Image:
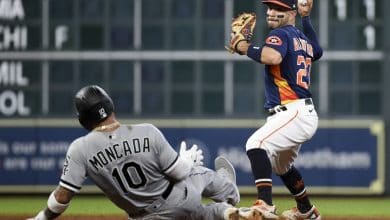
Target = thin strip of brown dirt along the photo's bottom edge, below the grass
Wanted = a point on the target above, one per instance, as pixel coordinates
(118, 217)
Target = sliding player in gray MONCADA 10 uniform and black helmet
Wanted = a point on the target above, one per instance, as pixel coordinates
(139, 171)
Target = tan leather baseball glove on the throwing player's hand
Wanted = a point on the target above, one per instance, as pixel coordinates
(242, 30)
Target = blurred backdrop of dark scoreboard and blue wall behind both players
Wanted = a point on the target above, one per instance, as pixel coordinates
(164, 62)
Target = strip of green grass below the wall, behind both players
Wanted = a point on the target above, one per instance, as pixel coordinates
(99, 205)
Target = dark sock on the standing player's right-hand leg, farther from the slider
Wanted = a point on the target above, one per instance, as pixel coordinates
(294, 183)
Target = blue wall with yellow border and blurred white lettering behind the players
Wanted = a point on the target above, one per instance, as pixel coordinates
(345, 157)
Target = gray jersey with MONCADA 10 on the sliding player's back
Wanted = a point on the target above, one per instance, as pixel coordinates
(127, 164)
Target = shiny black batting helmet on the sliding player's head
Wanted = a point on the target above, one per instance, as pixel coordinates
(93, 105)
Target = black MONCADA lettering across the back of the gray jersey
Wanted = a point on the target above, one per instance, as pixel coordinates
(119, 150)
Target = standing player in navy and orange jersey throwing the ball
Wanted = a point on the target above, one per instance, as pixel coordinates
(288, 54)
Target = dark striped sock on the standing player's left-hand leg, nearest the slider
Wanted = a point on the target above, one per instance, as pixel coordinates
(262, 171)
